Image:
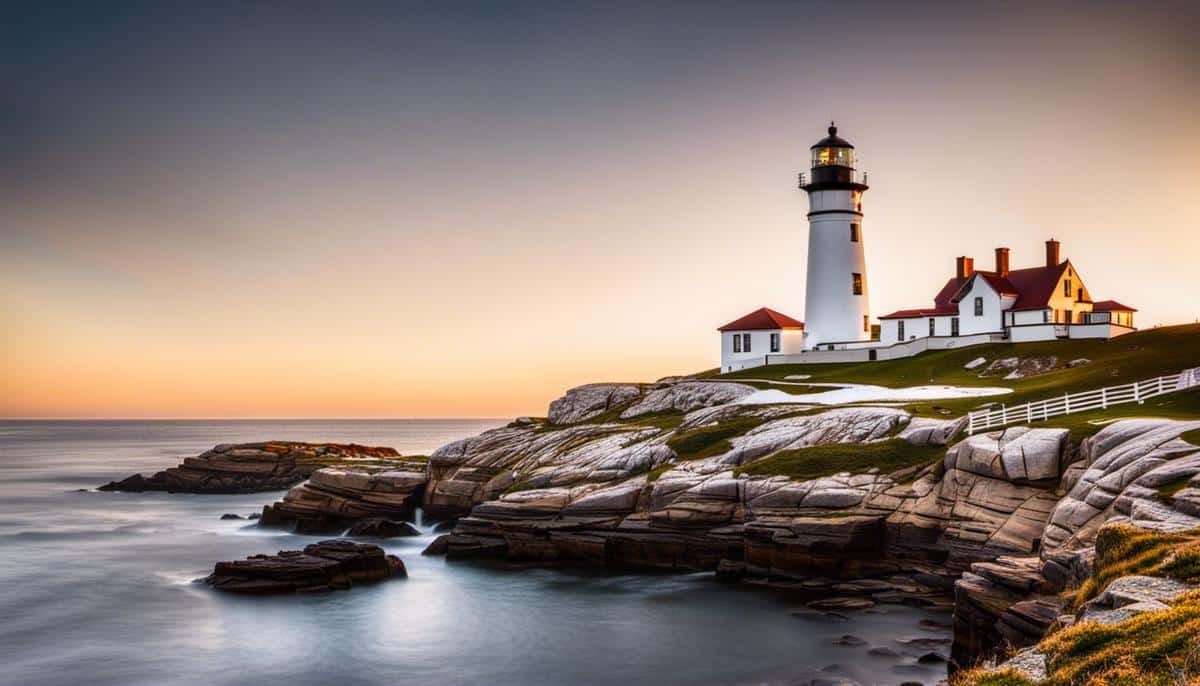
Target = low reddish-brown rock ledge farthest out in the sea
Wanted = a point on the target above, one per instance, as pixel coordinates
(251, 467)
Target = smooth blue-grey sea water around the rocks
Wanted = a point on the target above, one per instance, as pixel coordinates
(98, 588)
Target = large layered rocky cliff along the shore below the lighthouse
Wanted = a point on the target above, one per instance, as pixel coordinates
(677, 477)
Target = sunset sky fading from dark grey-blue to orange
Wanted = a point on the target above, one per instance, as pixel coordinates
(461, 209)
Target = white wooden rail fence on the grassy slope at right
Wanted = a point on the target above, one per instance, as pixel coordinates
(1083, 402)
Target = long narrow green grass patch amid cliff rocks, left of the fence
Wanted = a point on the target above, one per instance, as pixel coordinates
(829, 460)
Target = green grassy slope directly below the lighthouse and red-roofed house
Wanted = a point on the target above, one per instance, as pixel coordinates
(1131, 358)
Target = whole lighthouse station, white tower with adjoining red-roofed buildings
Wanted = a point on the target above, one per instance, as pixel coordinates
(1041, 303)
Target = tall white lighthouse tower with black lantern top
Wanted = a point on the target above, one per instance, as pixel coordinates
(836, 305)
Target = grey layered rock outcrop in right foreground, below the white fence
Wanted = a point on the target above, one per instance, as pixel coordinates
(1132, 472)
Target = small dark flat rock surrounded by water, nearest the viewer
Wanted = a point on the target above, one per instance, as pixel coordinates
(323, 567)
